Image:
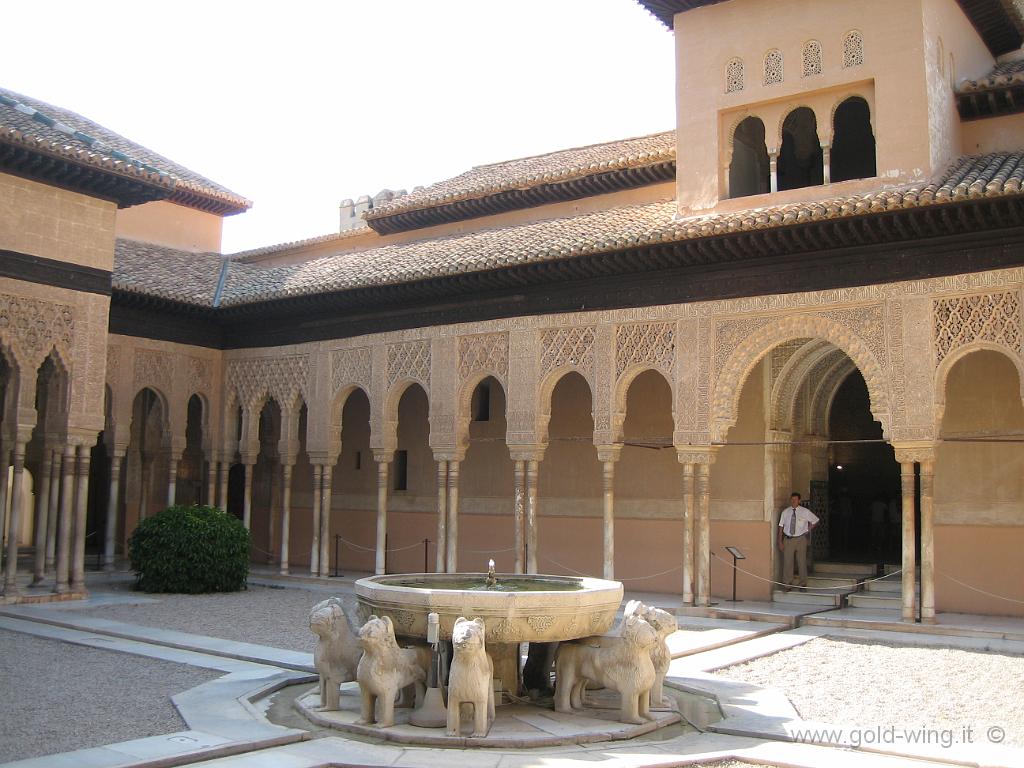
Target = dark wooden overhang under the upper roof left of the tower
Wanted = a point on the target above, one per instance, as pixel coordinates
(511, 200)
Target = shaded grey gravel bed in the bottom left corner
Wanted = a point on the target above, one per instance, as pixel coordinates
(109, 697)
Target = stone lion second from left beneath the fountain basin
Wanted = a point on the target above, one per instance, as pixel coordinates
(386, 669)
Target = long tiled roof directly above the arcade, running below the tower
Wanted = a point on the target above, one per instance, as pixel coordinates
(609, 231)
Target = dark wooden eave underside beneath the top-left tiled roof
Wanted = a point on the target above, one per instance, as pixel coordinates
(88, 179)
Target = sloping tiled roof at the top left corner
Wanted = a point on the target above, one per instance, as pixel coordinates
(31, 122)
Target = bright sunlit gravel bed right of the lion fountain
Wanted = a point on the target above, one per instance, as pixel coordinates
(857, 684)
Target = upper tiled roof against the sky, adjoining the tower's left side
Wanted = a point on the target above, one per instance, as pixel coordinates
(541, 169)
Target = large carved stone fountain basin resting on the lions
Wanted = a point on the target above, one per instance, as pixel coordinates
(521, 609)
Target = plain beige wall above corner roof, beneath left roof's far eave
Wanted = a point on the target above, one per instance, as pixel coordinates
(173, 226)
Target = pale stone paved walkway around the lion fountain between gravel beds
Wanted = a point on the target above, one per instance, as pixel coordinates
(227, 730)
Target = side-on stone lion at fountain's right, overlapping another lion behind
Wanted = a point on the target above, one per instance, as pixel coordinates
(621, 663)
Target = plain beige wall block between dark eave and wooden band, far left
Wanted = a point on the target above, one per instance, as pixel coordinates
(44, 221)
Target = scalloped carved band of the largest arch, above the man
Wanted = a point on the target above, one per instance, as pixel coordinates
(726, 403)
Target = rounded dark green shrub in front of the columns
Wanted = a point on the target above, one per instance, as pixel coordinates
(190, 549)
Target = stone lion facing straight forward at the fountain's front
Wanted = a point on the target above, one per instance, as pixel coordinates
(471, 678)
